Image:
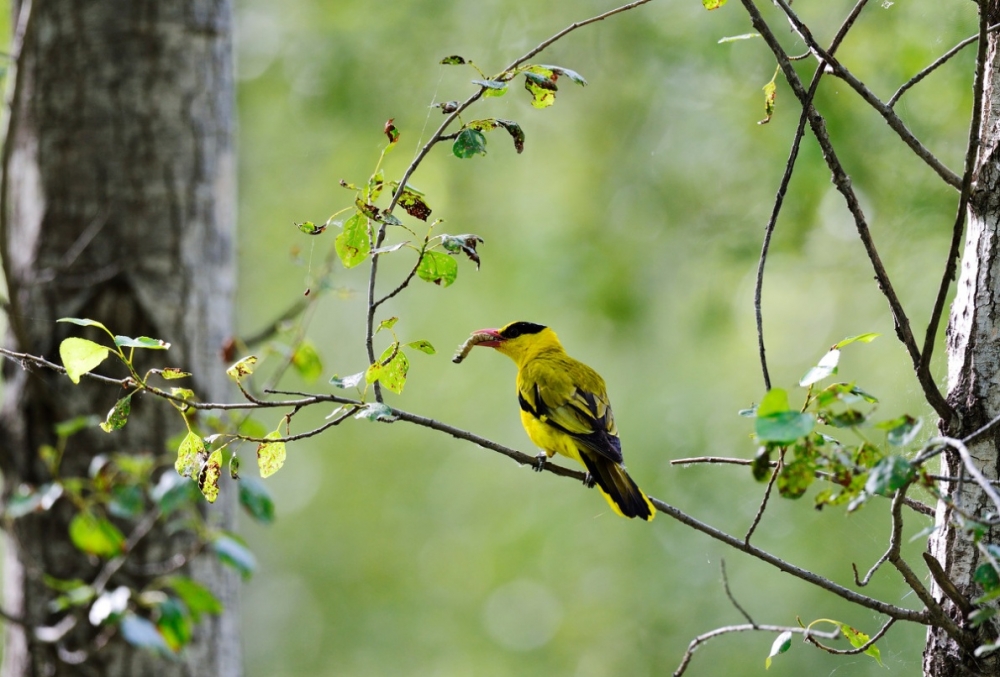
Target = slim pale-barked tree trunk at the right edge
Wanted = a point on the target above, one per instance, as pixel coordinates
(973, 372)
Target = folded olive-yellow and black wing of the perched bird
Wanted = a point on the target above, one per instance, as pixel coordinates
(583, 415)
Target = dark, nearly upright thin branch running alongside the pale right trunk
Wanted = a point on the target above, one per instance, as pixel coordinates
(957, 230)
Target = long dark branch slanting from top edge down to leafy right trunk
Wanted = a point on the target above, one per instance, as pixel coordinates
(843, 183)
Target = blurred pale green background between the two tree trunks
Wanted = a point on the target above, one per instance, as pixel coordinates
(631, 224)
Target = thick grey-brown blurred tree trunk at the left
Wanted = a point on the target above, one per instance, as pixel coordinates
(119, 205)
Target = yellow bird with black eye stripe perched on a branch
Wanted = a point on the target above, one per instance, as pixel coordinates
(565, 410)
